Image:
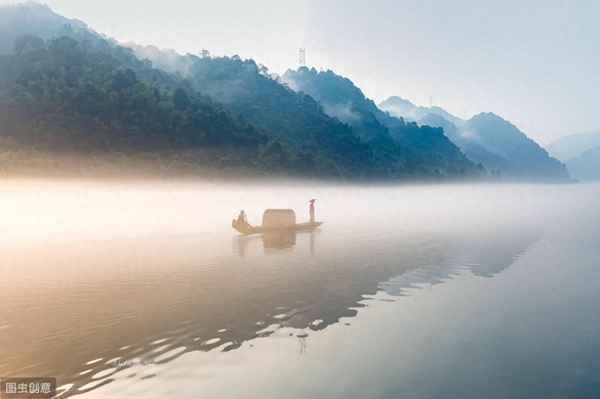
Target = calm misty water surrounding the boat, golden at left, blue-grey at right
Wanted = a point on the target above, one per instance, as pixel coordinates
(143, 290)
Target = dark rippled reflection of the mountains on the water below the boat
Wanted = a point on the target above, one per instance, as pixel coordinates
(154, 305)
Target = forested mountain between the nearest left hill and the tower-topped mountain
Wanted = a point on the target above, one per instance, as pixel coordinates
(307, 137)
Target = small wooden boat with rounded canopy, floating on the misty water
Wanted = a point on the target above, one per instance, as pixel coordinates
(275, 220)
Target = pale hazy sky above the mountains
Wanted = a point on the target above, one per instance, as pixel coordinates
(536, 63)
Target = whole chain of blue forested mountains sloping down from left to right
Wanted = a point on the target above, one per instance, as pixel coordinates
(62, 85)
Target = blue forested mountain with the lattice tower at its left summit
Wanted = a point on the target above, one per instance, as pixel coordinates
(423, 147)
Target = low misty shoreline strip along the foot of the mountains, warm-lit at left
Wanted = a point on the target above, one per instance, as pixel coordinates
(204, 164)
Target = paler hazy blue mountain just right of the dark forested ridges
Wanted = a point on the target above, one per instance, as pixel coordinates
(487, 139)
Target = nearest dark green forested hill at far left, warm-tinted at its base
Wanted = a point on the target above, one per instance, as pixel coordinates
(90, 94)
